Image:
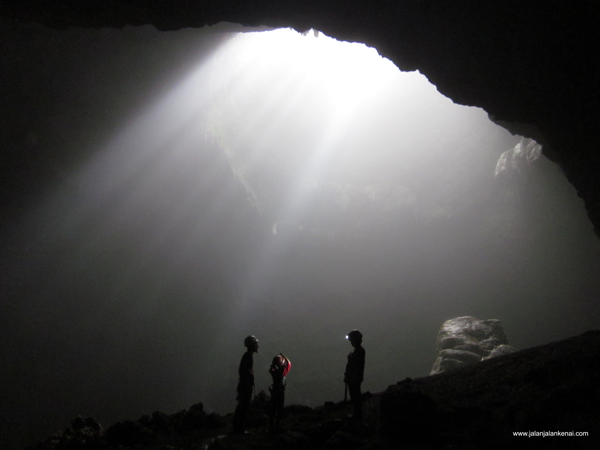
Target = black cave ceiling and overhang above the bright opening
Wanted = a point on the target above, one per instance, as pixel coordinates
(531, 65)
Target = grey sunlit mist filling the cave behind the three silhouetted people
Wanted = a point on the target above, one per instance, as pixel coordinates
(166, 194)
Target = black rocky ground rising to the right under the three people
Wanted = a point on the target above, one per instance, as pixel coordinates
(551, 389)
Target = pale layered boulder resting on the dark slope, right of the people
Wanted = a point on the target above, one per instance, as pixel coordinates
(466, 340)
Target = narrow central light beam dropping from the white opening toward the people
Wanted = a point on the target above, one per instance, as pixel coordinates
(302, 75)
